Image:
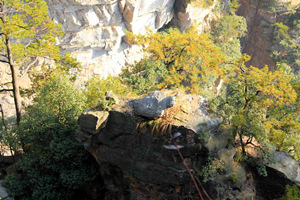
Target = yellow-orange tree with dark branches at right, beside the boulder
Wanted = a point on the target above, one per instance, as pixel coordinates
(257, 103)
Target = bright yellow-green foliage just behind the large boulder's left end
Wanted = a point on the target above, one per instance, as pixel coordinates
(96, 88)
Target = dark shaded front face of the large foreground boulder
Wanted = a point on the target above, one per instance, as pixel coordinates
(135, 163)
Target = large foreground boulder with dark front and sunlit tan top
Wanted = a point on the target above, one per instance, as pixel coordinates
(139, 153)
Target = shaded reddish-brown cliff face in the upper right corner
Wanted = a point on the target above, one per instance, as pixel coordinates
(259, 40)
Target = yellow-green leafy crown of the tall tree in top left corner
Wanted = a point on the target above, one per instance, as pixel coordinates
(30, 28)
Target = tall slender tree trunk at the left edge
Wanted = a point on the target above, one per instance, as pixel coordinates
(15, 80)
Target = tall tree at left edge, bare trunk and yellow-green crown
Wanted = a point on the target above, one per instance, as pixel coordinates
(26, 32)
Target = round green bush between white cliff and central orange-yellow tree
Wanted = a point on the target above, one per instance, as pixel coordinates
(145, 76)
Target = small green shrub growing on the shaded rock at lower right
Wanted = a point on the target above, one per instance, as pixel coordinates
(210, 170)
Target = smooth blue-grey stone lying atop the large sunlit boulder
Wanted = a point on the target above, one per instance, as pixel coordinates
(153, 105)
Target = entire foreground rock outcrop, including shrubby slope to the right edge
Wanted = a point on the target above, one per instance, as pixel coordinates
(155, 146)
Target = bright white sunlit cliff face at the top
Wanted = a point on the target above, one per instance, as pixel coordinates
(95, 30)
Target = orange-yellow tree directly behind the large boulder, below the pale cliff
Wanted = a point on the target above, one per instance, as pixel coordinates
(189, 57)
